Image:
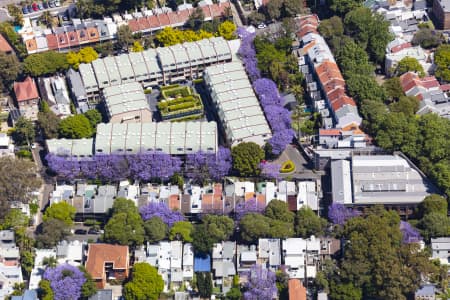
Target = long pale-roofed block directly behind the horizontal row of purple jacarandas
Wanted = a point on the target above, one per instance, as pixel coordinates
(178, 138)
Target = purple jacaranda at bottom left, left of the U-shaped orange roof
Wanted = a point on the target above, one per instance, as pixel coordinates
(66, 281)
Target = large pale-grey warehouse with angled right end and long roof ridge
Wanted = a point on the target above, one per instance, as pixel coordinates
(377, 179)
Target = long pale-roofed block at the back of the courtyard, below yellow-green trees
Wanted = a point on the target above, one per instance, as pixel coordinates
(152, 67)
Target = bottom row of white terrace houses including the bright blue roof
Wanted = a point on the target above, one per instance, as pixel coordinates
(177, 263)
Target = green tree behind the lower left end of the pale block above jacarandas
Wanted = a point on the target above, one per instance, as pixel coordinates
(75, 127)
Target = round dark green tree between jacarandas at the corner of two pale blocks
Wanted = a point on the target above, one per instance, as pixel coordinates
(246, 158)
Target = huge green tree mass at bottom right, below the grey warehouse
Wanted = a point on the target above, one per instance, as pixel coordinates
(375, 258)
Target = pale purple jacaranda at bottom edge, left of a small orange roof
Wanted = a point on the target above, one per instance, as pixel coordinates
(261, 284)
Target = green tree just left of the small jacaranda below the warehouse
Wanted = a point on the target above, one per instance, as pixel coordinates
(309, 223)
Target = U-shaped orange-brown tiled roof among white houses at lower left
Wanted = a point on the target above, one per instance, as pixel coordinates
(98, 254)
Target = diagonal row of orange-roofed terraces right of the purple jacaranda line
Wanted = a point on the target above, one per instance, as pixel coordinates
(326, 87)
